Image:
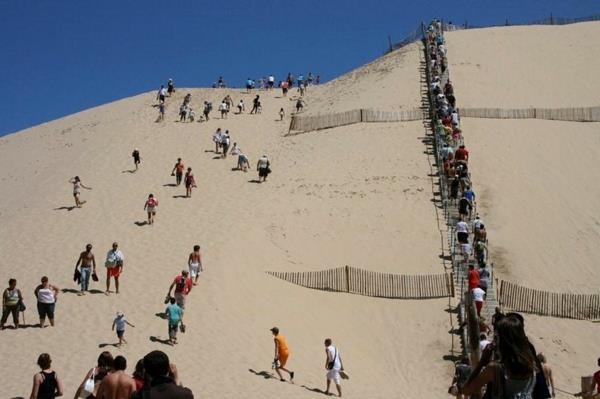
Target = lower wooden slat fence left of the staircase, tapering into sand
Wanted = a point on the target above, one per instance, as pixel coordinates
(364, 282)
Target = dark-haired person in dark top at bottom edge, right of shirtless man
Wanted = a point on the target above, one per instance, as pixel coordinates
(163, 379)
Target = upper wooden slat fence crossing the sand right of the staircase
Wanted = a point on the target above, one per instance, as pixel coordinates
(583, 114)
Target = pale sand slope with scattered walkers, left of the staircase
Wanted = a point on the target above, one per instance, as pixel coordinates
(334, 198)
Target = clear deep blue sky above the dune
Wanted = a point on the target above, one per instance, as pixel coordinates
(63, 56)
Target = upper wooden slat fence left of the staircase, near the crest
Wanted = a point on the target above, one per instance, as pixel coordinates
(300, 123)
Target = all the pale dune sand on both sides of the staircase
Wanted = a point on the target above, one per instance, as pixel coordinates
(336, 197)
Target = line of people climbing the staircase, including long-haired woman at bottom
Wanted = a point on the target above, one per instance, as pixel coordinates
(509, 366)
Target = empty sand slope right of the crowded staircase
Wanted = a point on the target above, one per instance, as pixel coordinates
(535, 178)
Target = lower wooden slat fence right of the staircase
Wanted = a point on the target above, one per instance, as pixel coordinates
(528, 300)
